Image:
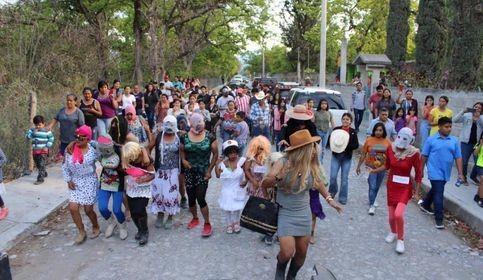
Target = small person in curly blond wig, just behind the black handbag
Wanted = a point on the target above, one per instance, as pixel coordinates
(258, 151)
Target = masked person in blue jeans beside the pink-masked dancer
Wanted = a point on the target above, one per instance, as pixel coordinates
(110, 185)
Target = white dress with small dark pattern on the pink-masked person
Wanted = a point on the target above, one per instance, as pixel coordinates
(84, 176)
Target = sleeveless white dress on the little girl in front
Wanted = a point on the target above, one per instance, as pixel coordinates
(232, 196)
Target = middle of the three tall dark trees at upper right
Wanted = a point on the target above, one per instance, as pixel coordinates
(431, 40)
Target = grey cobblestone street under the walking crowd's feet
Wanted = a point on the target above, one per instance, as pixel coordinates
(351, 245)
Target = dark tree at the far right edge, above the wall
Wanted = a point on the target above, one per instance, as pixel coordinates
(467, 49)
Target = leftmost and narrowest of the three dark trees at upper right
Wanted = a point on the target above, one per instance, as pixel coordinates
(397, 31)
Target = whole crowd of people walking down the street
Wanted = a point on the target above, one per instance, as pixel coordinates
(162, 145)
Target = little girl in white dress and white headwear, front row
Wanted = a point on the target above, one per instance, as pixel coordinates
(233, 195)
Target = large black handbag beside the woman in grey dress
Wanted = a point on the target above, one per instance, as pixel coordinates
(260, 215)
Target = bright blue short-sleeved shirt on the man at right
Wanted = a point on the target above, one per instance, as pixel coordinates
(441, 152)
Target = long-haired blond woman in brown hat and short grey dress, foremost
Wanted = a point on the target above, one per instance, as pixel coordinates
(294, 174)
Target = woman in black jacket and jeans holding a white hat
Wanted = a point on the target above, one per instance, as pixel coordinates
(343, 141)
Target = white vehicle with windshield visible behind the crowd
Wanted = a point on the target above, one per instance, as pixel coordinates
(337, 107)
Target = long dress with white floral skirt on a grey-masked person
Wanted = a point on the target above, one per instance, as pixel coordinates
(165, 187)
